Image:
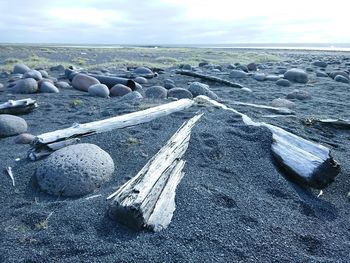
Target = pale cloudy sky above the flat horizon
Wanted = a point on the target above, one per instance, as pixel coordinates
(174, 21)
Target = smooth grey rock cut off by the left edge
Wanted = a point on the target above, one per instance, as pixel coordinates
(12, 125)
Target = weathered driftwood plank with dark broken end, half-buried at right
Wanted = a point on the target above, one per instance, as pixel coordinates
(304, 161)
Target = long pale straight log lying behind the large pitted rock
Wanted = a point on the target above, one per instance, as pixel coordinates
(46, 143)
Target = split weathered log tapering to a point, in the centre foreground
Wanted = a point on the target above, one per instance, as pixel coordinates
(148, 199)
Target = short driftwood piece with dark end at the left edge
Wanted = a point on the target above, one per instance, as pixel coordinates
(18, 106)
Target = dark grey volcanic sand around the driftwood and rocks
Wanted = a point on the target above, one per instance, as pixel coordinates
(233, 204)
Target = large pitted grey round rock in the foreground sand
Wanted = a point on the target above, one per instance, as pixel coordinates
(75, 170)
